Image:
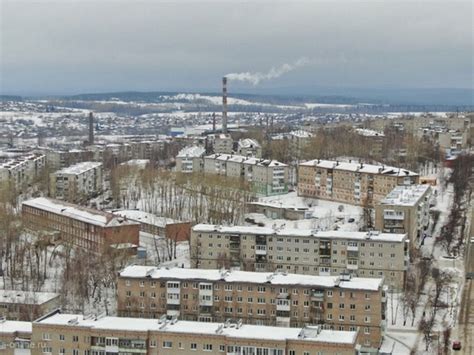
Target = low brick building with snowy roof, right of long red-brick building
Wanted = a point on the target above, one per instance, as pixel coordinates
(158, 226)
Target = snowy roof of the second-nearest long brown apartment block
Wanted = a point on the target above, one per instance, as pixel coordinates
(275, 278)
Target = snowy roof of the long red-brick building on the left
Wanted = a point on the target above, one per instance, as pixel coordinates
(84, 214)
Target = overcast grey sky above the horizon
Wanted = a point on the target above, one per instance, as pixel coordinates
(94, 46)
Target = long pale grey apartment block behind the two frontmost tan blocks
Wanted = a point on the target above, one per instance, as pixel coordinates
(364, 254)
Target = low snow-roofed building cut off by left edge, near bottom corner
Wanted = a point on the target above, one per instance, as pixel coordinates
(26, 306)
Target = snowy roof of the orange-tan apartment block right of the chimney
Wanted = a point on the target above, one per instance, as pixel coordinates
(359, 167)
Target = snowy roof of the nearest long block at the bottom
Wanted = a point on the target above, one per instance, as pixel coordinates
(243, 331)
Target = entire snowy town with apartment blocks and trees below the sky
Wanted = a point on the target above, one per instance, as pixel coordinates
(314, 229)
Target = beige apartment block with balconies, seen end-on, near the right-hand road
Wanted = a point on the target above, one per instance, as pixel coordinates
(405, 210)
